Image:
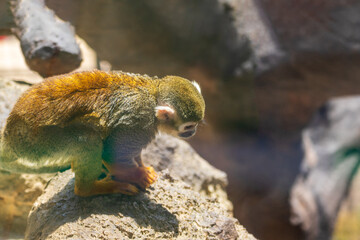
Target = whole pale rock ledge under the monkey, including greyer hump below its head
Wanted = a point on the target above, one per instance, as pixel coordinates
(188, 201)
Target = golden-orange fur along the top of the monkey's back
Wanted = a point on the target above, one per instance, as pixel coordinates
(59, 99)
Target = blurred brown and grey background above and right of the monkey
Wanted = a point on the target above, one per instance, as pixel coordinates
(280, 80)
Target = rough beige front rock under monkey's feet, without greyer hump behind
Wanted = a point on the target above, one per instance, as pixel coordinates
(169, 209)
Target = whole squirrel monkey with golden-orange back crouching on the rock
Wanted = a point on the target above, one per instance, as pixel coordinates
(96, 121)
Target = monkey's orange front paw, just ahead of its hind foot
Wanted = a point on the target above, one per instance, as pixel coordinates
(143, 177)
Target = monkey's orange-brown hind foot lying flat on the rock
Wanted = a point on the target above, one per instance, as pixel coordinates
(106, 186)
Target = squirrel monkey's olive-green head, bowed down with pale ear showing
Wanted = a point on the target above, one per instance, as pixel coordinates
(180, 106)
